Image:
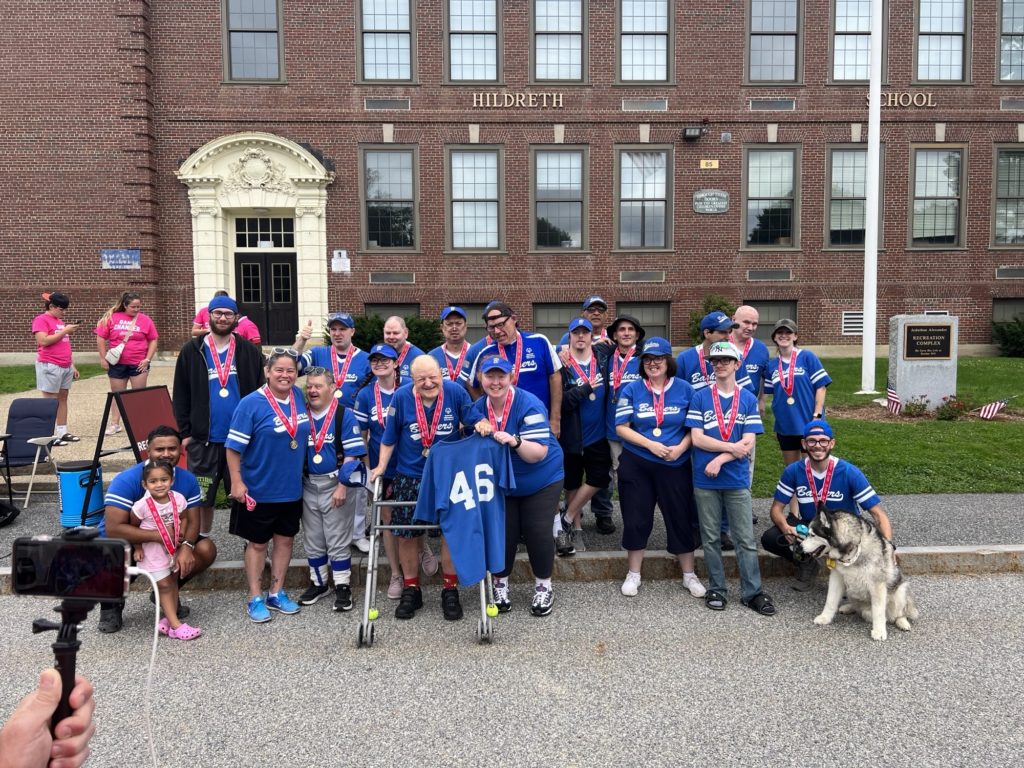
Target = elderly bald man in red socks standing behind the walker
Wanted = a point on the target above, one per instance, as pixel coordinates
(429, 412)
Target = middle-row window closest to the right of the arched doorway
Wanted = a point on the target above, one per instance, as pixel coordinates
(390, 195)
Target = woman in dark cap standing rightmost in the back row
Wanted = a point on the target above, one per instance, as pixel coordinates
(797, 383)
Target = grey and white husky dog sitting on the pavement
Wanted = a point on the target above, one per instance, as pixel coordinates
(864, 568)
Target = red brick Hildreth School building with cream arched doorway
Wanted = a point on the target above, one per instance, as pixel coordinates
(240, 144)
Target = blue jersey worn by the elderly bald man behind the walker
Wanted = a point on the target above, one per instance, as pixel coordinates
(404, 432)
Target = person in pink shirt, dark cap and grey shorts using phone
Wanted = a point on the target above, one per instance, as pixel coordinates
(55, 370)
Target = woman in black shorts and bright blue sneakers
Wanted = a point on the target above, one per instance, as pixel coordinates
(266, 454)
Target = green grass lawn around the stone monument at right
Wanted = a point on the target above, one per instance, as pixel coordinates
(922, 456)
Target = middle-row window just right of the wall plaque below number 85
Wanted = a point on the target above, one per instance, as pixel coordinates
(772, 198)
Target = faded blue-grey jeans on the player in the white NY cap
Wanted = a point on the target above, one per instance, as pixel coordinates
(737, 504)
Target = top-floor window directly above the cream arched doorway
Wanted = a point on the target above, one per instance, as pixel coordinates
(253, 40)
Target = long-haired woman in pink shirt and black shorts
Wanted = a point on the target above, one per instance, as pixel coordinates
(125, 323)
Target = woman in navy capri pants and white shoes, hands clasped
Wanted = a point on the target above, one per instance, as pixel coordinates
(655, 468)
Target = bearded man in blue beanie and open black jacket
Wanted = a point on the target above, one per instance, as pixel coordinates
(215, 372)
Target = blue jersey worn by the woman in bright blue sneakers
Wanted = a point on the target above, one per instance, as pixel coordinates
(271, 468)
